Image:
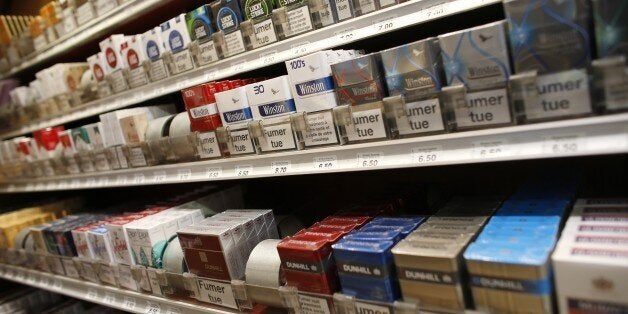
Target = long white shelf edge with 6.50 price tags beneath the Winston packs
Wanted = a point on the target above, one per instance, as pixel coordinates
(578, 137)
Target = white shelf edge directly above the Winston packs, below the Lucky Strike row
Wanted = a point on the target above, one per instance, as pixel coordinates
(374, 24)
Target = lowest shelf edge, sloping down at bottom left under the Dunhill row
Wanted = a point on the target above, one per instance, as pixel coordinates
(109, 296)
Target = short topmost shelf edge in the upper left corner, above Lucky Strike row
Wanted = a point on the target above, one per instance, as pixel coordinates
(94, 29)
